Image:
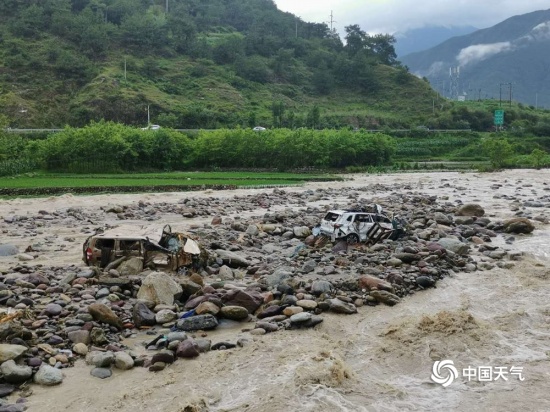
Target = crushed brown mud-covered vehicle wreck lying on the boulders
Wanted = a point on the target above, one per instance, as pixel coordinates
(159, 249)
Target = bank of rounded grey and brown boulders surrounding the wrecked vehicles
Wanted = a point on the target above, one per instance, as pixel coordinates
(263, 272)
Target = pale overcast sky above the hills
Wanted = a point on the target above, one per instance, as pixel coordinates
(392, 16)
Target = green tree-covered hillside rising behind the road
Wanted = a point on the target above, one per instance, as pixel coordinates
(196, 64)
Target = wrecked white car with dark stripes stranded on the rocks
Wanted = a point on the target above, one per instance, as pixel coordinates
(361, 225)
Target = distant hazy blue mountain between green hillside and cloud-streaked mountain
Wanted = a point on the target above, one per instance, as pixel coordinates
(423, 38)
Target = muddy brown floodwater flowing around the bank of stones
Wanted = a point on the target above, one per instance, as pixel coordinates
(379, 359)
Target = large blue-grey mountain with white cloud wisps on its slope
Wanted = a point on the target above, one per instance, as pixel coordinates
(510, 58)
